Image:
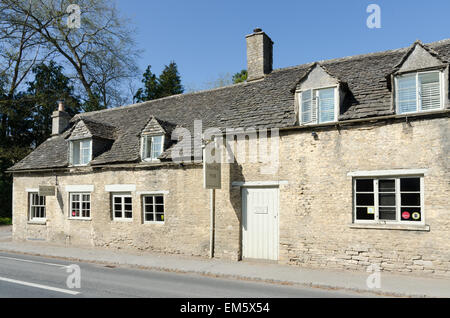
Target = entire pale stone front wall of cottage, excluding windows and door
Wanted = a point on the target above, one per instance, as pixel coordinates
(315, 204)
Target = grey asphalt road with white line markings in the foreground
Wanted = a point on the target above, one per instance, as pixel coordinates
(31, 277)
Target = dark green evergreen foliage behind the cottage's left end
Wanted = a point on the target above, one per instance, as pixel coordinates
(26, 120)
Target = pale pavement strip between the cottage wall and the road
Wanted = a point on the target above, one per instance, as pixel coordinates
(398, 285)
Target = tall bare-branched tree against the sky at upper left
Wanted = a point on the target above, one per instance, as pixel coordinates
(101, 52)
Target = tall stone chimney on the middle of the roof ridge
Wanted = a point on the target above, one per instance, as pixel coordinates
(259, 55)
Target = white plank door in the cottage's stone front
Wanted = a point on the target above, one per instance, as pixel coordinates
(260, 223)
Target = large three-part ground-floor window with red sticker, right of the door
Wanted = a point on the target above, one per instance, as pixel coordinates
(388, 200)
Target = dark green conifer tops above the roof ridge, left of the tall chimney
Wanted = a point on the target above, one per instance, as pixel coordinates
(168, 83)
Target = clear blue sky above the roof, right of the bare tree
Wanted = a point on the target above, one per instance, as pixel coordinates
(206, 38)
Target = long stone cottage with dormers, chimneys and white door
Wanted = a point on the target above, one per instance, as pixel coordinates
(362, 179)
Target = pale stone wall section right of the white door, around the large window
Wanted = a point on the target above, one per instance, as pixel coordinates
(316, 204)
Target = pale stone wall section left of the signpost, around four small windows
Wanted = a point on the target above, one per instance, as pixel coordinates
(186, 226)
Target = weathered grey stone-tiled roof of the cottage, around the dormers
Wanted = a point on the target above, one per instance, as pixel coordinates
(265, 103)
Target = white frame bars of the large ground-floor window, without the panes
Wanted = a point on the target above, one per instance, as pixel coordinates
(398, 204)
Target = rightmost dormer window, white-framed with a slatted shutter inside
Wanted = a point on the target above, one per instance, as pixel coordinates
(419, 92)
